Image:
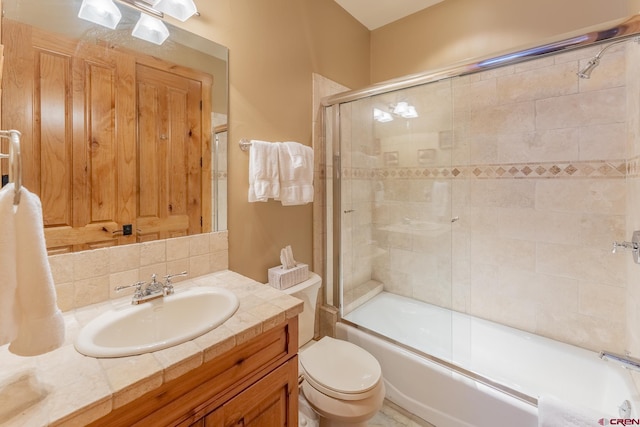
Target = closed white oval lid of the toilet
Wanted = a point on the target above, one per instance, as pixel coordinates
(338, 368)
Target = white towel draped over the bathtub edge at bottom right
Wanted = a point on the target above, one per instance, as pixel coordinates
(553, 412)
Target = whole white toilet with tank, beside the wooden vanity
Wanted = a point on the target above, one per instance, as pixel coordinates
(342, 382)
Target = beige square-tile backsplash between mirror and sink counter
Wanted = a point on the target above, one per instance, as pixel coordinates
(89, 277)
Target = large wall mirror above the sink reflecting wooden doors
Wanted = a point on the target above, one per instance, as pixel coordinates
(150, 168)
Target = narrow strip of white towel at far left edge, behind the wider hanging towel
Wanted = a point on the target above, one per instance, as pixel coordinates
(8, 281)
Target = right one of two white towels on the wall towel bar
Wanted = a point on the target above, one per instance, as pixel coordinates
(296, 183)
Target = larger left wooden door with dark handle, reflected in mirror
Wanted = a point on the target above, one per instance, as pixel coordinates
(74, 103)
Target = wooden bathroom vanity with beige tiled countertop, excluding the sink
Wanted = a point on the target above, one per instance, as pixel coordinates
(243, 372)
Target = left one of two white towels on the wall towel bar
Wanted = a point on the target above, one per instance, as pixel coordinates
(264, 181)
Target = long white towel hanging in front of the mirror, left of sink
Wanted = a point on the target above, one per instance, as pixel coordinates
(41, 326)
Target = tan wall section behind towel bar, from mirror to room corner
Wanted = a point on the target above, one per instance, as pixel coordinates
(275, 47)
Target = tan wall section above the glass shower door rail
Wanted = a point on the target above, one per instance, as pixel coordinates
(459, 30)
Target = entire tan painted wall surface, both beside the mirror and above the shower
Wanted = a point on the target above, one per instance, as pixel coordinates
(275, 46)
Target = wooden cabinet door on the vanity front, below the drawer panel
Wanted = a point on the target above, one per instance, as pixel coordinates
(270, 402)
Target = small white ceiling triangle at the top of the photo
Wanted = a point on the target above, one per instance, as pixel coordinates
(376, 13)
